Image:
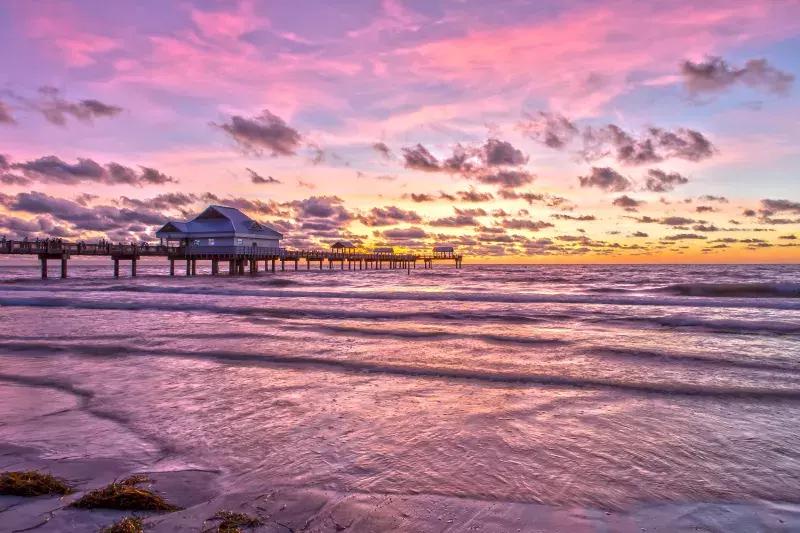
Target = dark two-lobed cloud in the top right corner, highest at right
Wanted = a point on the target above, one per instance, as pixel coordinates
(716, 75)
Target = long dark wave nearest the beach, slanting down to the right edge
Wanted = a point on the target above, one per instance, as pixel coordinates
(488, 377)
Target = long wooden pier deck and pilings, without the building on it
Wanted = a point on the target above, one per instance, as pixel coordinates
(239, 259)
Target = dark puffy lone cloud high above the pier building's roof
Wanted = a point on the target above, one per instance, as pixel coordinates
(264, 132)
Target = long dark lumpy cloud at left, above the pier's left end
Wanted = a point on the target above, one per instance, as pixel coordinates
(51, 169)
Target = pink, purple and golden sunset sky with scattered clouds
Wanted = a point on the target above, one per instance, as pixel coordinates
(541, 131)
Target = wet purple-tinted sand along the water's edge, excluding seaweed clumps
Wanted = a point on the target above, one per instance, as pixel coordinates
(202, 493)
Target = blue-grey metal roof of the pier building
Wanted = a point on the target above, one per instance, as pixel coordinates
(219, 219)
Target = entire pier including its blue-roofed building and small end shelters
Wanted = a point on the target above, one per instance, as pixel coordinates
(225, 236)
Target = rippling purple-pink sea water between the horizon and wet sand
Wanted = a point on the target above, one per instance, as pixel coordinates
(570, 385)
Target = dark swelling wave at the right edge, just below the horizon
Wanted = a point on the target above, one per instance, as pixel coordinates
(717, 290)
